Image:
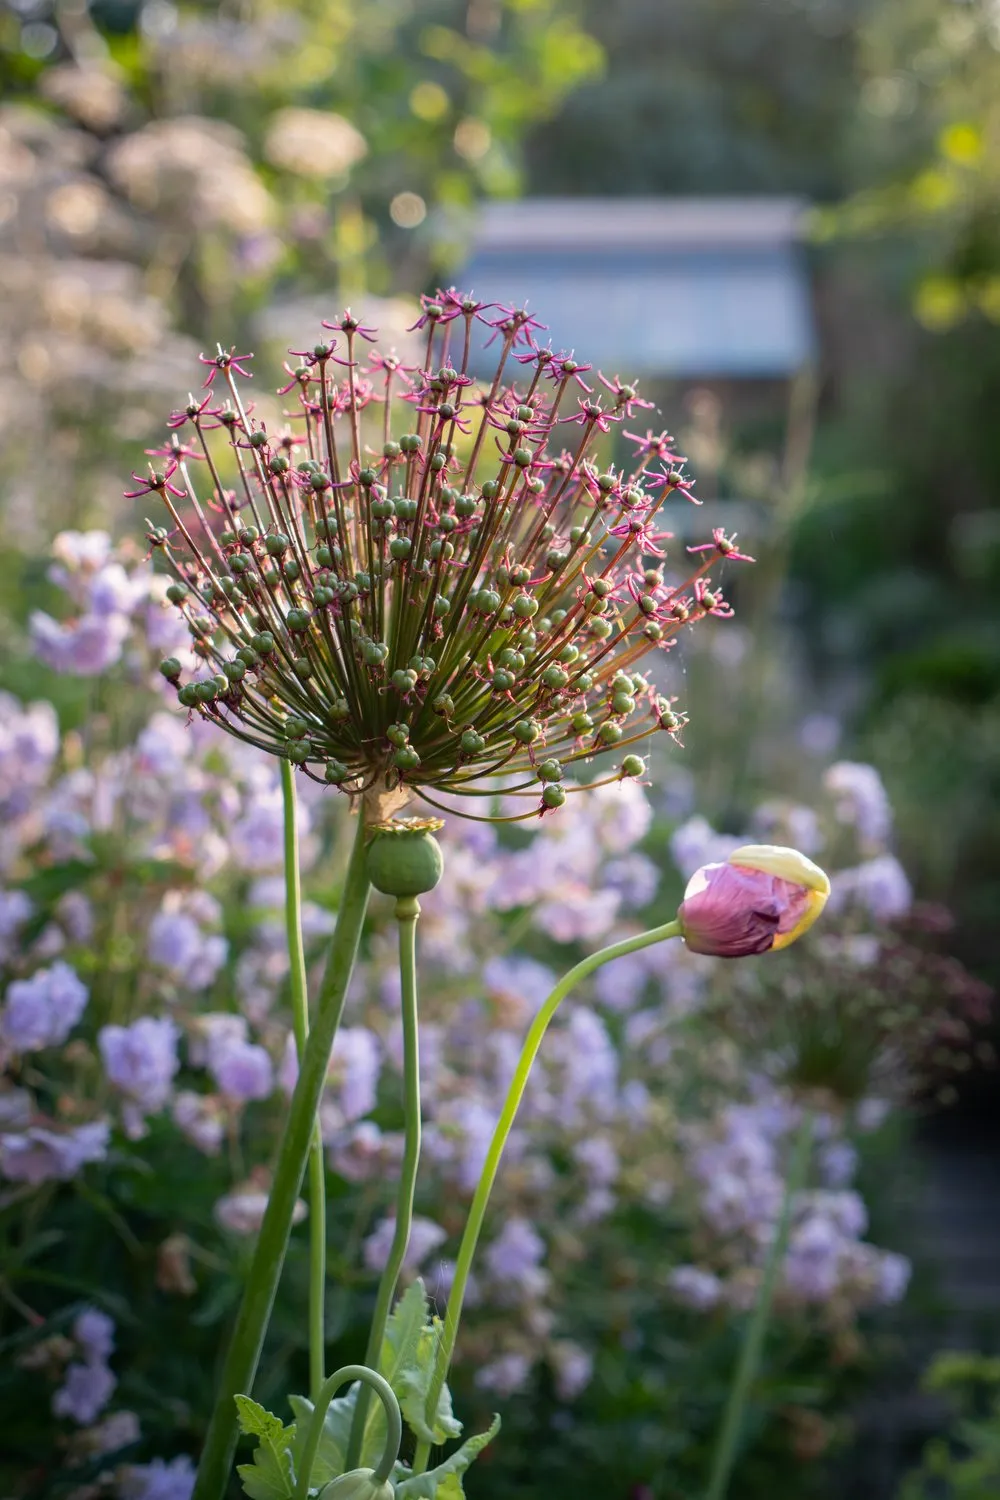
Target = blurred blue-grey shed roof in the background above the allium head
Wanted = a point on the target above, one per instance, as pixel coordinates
(665, 289)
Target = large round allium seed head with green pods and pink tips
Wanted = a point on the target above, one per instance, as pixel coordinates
(421, 611)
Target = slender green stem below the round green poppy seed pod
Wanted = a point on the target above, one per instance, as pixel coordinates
(407, 914)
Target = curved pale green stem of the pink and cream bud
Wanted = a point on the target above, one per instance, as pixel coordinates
(509, 1114)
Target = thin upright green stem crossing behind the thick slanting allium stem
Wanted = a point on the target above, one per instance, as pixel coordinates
(301, 1022)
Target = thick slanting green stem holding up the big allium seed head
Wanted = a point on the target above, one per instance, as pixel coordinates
(269, 1256)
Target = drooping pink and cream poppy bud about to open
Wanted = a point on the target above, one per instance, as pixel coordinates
(761, 899)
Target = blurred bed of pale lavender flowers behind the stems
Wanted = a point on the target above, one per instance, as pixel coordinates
(148, 1052)
